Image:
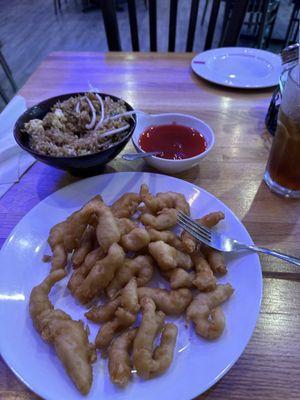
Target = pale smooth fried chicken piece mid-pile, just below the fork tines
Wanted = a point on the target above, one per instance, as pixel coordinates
(167, 257)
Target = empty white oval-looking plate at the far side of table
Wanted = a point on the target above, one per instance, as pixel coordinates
(238, 67)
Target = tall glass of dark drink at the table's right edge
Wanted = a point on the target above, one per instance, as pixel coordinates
(282, 173)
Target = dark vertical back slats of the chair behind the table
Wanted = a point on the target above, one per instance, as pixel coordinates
(112, 30)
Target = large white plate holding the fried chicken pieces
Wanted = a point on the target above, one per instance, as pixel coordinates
(197, 364)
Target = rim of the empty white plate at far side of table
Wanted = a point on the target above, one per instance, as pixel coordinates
(234, 49)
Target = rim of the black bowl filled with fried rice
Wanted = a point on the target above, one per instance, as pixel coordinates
(83, 156)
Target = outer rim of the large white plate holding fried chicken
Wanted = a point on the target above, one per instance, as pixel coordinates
(211, 383)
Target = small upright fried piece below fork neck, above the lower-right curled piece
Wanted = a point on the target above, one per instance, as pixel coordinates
(204, 278)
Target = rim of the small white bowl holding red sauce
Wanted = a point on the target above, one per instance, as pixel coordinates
(183, 160)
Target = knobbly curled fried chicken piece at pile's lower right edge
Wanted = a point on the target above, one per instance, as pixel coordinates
(206, 313)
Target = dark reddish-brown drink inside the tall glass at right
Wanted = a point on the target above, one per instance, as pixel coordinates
(284, 160)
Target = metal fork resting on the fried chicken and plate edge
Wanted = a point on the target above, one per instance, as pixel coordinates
(221, 242)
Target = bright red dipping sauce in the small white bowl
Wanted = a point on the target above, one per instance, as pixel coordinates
(175, 142)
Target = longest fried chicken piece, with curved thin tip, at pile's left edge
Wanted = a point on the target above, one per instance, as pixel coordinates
(69, 337)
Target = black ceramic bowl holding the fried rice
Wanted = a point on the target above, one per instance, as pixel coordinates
(78, 165)
